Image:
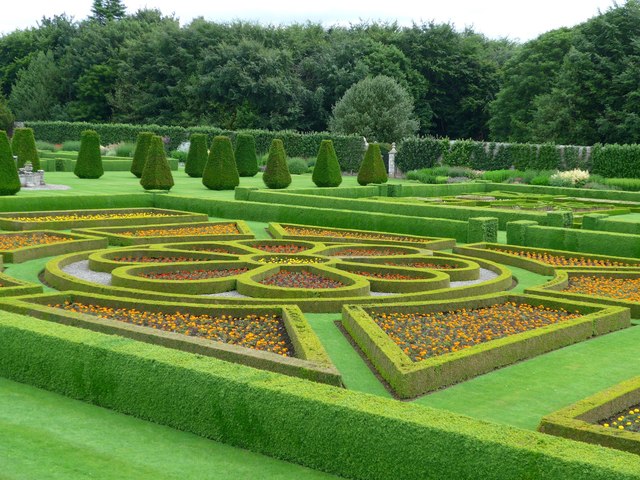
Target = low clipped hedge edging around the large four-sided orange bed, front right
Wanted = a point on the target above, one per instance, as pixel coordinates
(410, 379)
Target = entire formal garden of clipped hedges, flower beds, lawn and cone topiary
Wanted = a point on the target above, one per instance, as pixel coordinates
(342, 321)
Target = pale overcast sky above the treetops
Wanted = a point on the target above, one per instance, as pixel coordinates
(513, 19)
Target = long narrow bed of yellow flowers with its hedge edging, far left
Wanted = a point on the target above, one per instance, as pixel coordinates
(67, 219)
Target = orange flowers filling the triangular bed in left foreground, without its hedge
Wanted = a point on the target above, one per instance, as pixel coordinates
(259, 332)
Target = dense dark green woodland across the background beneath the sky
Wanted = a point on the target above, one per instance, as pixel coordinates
(576, 85)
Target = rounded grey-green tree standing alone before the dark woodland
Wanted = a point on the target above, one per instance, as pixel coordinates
(378, 108)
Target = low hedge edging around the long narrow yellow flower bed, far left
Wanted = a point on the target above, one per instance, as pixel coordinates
(7, 221)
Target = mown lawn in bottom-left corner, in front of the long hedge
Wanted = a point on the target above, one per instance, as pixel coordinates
(45, 435)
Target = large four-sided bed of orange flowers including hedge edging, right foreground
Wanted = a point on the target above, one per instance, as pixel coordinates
(419, 347)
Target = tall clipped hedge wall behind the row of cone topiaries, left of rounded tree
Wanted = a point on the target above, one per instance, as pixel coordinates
(349, 148)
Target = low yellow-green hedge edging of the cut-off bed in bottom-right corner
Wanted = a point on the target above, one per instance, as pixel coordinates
(578, 421)
